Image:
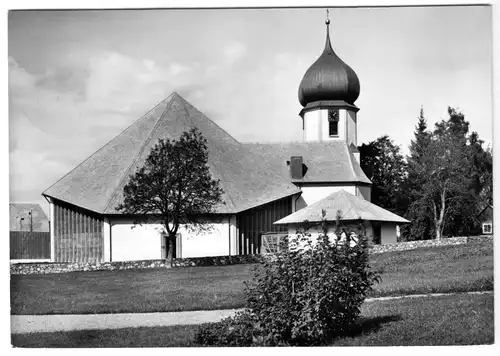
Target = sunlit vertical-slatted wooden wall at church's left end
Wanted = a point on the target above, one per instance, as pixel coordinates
(78, 234)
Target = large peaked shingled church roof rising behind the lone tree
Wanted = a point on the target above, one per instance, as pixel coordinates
(248, 180)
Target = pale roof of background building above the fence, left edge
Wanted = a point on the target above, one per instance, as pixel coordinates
(18, 211)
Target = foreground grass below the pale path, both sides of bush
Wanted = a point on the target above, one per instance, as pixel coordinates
(449, 320)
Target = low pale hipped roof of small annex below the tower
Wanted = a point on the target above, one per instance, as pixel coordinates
(350, 206)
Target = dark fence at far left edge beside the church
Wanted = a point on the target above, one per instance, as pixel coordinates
(25, 245)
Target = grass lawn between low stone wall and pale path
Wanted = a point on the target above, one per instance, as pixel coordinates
(436, 269)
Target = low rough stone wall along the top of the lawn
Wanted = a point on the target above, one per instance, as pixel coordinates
(60, 267)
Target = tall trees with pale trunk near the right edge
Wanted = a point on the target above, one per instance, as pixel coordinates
(449, 175)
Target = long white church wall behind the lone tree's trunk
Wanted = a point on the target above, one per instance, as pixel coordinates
(129, 241)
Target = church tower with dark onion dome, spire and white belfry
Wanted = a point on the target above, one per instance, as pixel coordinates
(327, 92)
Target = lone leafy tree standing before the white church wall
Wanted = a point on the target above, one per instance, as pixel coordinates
(174, 185)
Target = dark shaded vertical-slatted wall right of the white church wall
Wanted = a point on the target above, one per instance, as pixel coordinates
(254, 222)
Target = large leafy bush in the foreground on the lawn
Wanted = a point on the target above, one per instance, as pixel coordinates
(304, 296)
